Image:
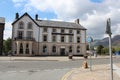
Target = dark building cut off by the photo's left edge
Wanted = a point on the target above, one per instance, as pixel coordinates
(2, 24)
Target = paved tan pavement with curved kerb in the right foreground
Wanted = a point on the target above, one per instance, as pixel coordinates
(97, 72)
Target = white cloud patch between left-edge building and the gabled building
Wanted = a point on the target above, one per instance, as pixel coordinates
(8, 30)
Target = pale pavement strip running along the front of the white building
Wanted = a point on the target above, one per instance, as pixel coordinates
(45, 58)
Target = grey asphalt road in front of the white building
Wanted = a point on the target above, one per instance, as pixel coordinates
(42, 70)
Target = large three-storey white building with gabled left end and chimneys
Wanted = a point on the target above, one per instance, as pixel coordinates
(43, 37)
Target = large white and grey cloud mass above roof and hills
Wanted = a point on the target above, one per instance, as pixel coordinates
(92, 15)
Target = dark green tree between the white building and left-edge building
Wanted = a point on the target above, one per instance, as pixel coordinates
(7, 46)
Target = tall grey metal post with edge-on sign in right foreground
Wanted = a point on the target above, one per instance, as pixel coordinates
(108, 31)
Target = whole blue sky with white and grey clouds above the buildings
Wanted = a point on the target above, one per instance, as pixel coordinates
(92, 13)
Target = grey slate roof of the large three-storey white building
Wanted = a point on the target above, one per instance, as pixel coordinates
(48, 23)
